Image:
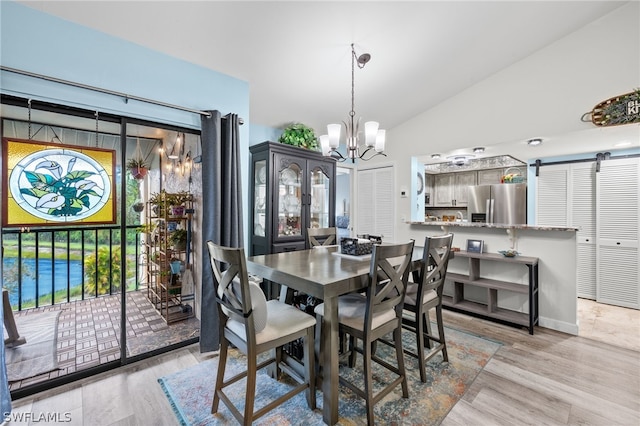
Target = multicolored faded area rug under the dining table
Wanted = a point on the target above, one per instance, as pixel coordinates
(190, 391)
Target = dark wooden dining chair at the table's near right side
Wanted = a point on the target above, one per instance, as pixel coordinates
(374, 314)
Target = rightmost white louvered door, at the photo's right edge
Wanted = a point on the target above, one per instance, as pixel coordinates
(618, 232)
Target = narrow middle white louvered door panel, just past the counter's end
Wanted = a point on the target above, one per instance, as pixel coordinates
(582, 213)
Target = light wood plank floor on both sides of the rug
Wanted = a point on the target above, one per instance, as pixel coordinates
(550, 378)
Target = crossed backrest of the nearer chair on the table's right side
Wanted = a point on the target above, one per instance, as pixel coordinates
(388, 275)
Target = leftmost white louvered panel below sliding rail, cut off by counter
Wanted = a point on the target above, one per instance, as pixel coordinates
(551, 196)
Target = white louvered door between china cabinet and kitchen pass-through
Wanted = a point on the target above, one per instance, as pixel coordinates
(376, 203)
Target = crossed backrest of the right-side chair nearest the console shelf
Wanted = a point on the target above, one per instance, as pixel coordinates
(435, 260)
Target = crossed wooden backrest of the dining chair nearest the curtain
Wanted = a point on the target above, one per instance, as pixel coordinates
(231, 285)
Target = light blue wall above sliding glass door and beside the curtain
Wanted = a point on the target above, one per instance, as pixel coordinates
(34, 41)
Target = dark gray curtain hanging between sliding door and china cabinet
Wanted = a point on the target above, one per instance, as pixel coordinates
(221, 207)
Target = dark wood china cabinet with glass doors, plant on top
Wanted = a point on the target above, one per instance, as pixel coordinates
(291, 189)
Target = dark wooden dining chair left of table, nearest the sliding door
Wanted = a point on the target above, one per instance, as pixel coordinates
(255, 326)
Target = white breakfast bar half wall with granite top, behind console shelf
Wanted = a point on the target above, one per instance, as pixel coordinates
(554, 249)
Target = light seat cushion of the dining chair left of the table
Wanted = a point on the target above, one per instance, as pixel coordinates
(282, 320)
